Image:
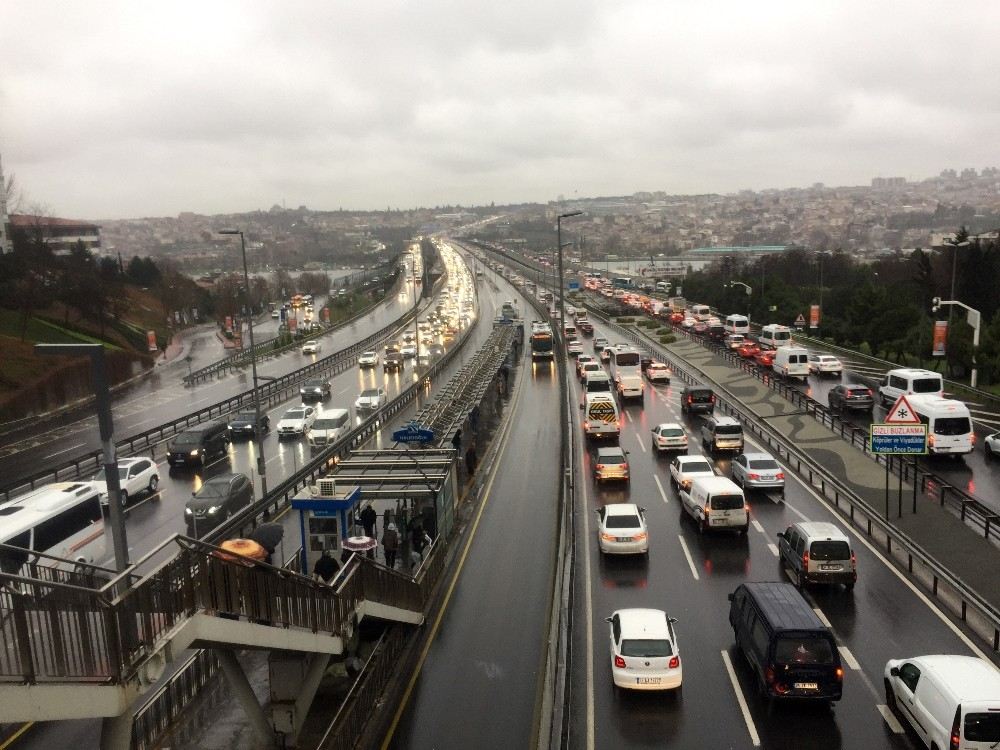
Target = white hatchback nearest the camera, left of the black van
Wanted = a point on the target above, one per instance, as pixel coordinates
(644, 650)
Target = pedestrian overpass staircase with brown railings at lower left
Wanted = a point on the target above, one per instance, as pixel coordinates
(87, 643)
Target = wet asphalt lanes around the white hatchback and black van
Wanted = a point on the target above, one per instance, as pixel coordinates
(690, 576)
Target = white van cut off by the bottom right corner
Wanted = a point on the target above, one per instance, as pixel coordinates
(950, 701)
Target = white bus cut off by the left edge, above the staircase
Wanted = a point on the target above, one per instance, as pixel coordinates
(62, 519)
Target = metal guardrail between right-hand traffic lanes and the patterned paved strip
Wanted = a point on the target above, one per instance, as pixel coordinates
(941, 583)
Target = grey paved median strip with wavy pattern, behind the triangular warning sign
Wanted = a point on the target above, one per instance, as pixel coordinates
(955, 545)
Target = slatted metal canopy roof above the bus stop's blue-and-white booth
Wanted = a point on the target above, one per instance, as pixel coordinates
(403, 473)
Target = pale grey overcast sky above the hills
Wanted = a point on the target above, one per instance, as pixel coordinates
(113, 110)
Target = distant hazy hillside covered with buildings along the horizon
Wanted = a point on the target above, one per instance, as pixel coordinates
(889, 215)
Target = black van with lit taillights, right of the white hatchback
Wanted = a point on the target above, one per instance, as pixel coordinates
(792, 653)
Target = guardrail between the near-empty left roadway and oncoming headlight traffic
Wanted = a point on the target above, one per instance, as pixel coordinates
(271, 392)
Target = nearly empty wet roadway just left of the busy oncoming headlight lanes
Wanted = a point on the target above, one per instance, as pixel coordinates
(162, 396)
